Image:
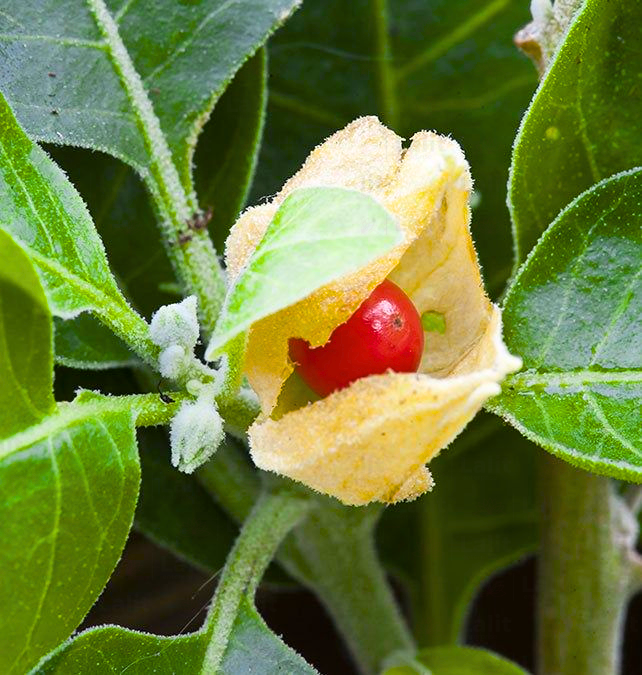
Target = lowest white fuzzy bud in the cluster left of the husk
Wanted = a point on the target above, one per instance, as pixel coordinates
(195, 434)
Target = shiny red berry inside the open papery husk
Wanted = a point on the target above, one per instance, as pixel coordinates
(385, 333)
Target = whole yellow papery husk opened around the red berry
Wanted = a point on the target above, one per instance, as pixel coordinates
(371, 440)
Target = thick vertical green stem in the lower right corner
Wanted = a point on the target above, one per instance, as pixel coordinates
(585, 571)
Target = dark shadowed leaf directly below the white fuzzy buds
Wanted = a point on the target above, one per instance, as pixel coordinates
(176, 511)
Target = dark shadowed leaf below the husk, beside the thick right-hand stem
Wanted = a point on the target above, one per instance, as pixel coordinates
(481, 517)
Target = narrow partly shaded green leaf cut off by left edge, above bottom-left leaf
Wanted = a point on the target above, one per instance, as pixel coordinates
(26, 366)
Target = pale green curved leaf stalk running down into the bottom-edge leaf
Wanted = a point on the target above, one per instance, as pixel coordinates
(273, 516)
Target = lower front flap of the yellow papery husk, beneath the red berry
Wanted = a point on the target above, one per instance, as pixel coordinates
(370, 441)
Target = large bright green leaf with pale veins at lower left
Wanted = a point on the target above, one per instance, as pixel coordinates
(69, 487)
